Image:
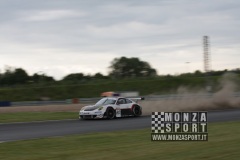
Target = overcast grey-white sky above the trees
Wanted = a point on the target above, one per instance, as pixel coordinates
(58, 37)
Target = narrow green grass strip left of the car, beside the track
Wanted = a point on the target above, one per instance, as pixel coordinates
(36, 116)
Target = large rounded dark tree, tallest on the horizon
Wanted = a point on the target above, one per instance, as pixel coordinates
(130, 67)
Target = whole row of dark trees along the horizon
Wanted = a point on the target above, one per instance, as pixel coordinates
(120, 68)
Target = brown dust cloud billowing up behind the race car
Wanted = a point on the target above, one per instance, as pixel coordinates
(185, 100)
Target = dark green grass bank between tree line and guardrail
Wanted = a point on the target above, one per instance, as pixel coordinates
(84, 90)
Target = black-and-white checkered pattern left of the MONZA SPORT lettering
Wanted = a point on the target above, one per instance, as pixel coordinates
(157, 122)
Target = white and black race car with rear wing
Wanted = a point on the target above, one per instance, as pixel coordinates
(112, 107)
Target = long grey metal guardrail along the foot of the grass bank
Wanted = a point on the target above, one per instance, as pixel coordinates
(94, 100)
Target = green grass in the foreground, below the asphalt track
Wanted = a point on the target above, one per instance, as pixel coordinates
(224, 143)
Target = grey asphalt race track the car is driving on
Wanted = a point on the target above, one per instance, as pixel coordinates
(32, 130)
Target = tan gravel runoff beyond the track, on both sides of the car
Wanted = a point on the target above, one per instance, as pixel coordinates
(184, 104)
